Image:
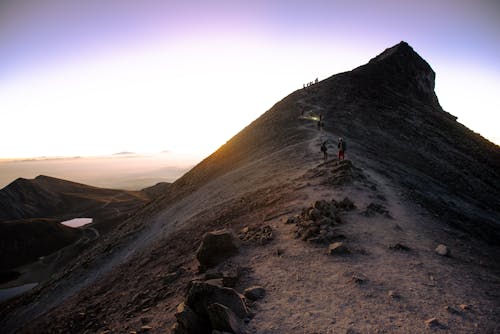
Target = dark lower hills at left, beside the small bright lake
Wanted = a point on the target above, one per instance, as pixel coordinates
(31, 212)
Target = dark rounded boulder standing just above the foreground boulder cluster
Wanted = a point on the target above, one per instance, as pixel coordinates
(216, 247)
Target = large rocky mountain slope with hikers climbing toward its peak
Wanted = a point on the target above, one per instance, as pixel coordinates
(402, 236)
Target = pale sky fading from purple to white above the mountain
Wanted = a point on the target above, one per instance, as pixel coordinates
(92, 77)
